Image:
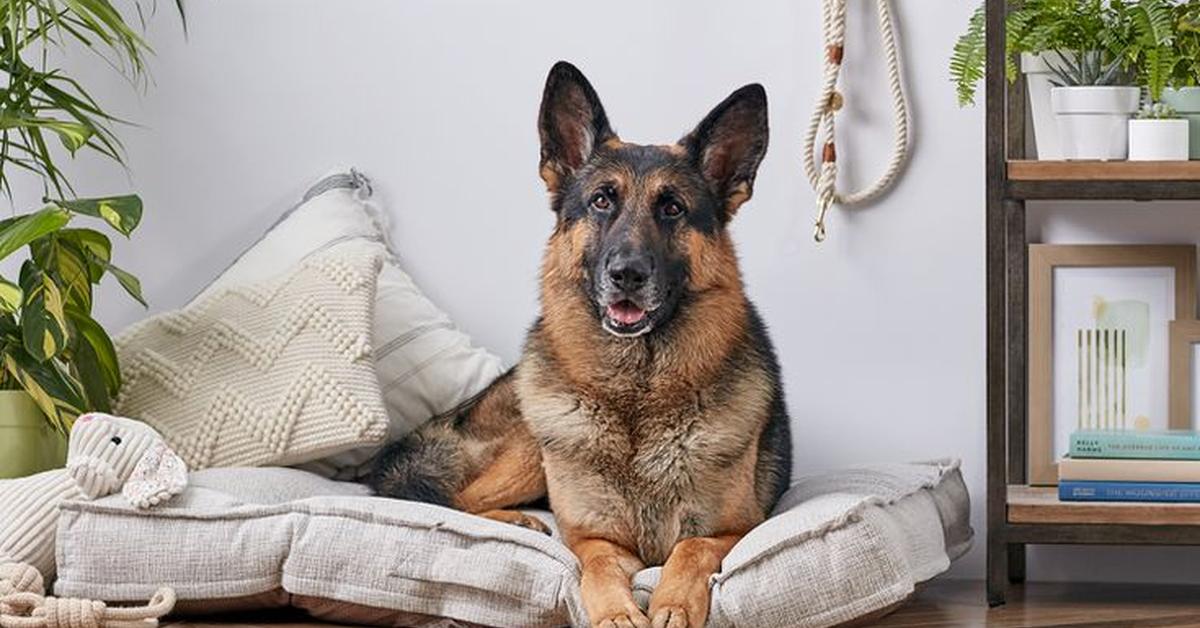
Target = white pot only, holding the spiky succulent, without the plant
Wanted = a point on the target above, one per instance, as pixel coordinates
(1094, 121)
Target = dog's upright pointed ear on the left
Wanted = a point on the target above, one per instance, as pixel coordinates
(572, 124)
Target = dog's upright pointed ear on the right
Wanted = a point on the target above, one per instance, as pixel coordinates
(730, 143)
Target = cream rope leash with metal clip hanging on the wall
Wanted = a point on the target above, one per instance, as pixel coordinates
(825, 177)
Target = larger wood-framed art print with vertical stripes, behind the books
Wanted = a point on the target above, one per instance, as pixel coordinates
(1099, 350)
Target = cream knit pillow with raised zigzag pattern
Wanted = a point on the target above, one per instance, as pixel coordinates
(272, 373)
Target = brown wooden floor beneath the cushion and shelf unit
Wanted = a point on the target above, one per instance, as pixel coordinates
(961, 605)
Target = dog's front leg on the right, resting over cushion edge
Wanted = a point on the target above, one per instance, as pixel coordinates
(681, 601)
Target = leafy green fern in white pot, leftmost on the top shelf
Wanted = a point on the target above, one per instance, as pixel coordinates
(1041, 35)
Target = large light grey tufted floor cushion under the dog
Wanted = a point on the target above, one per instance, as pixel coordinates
(841, 546)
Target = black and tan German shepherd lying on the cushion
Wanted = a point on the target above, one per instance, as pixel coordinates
(647, 403)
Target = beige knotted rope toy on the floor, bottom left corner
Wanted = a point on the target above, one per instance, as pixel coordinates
(25, 605)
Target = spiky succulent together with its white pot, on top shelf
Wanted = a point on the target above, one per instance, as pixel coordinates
(1091, 109)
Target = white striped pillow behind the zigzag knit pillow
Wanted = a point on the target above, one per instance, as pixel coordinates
(427, 366)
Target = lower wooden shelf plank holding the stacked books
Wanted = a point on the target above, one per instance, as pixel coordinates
(1041, 505)
